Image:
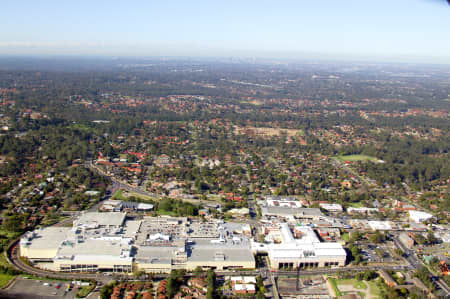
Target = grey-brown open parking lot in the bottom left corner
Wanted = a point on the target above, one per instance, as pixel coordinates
(27, 288)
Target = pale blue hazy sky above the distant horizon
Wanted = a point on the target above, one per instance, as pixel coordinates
(403, 30)
